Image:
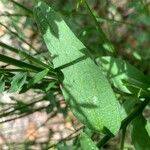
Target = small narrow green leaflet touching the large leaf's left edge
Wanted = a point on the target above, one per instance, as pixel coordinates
(38, 77)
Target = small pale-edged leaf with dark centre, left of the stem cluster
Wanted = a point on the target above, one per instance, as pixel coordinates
(17, 82)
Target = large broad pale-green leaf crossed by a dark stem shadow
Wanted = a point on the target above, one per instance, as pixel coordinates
(84, 87)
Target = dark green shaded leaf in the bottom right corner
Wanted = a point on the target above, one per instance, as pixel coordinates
(140, 136)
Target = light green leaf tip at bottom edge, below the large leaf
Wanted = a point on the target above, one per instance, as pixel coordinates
(86, 142)
